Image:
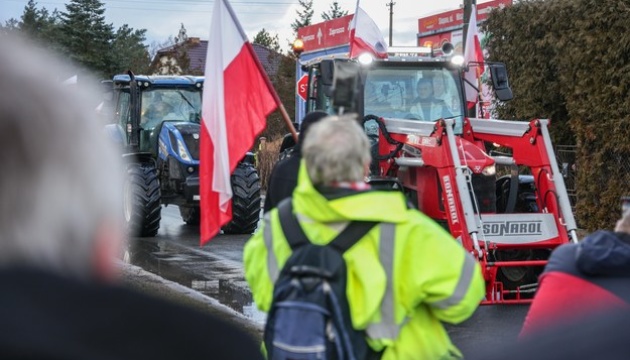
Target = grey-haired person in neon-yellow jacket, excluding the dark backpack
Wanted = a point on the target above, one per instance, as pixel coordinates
(405, 277)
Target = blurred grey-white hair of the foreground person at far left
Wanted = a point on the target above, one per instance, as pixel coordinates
(61, 178)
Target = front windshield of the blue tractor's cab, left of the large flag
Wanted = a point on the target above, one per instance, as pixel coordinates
(169, 104)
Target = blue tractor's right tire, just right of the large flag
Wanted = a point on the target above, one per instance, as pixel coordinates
(245, 200)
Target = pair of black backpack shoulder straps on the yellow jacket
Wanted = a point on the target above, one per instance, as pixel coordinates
(296, 237)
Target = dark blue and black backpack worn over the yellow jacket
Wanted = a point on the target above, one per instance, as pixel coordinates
(309, 316)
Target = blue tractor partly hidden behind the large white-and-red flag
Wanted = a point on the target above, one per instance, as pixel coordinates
(157, 123)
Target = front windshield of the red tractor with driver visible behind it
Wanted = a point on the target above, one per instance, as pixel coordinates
(422, 94)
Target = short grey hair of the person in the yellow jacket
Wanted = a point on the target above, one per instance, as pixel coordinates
(336, 150)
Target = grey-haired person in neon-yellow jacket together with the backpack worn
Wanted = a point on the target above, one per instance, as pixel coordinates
(403, 274)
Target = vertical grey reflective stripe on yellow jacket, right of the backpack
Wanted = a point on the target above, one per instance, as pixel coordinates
(387, 328)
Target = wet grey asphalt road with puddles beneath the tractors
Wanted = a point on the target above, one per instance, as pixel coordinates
(216, 271)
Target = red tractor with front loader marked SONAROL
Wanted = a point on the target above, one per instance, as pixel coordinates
(494, 184)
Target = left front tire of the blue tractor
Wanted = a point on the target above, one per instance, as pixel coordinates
(142, 209)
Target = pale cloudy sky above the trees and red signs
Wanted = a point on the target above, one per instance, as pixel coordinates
(162, 18)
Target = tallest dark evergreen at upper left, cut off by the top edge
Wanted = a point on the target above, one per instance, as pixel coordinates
(86, 38)
